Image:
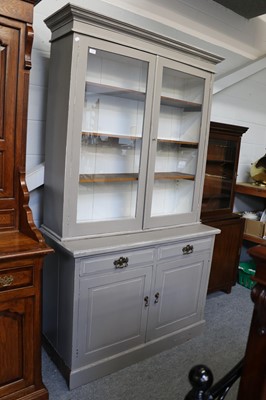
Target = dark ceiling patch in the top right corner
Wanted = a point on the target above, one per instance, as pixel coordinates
(246, 8)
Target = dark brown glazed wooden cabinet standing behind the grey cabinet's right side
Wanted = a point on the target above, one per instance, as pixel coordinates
(218, 201)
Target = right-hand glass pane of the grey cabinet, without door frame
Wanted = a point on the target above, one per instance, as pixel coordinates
(177, 143)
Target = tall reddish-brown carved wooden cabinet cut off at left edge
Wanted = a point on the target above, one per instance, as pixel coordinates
(22, 247)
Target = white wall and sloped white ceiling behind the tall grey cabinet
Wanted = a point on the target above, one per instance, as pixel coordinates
(202, 23)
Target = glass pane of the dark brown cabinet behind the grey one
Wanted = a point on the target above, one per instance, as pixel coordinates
(219, 175)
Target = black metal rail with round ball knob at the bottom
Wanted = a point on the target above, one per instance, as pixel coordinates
(201, 379)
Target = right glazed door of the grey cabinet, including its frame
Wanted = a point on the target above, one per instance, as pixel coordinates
(176, 147)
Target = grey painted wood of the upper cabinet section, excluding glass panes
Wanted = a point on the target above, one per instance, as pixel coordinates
(64, 123)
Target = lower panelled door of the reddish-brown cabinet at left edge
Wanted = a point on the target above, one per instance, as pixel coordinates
(16, 345)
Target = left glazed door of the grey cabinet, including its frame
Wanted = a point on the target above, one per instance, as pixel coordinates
(114, 137)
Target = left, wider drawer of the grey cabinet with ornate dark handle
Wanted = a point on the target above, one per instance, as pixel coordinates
(116, 261)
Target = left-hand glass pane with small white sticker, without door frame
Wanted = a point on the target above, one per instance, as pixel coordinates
(111, 137)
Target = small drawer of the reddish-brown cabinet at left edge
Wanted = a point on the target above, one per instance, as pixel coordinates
(16, 278)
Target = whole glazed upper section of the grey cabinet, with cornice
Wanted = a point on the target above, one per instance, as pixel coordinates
(127, 126)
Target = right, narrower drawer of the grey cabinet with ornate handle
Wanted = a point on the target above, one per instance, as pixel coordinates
(185, 248)
